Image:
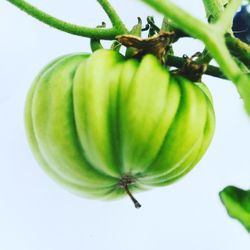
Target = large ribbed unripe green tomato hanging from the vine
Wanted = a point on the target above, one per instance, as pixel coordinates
(99, 123)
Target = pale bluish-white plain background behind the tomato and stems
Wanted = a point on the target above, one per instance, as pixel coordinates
(37, 214)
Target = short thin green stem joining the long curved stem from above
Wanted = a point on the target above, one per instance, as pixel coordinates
(113, 16)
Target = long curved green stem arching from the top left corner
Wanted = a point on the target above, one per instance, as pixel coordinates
(96, 33)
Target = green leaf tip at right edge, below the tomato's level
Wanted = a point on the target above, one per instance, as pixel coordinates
(237, 203)
